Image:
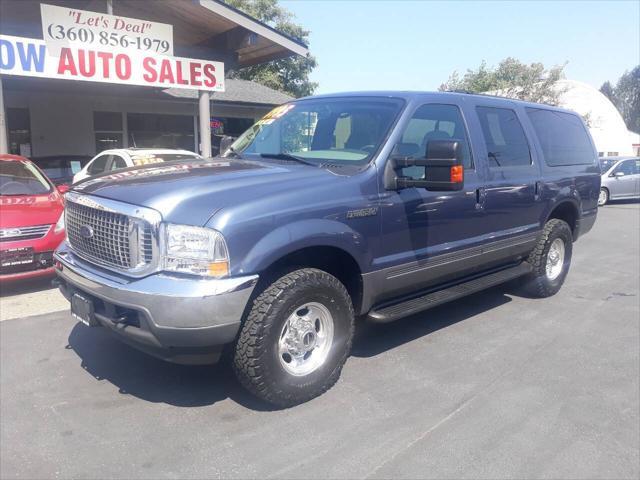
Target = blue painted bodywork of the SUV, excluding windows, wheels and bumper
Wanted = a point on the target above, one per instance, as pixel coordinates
(267, 209)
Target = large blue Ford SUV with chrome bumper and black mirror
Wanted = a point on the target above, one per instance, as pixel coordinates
(331, 208)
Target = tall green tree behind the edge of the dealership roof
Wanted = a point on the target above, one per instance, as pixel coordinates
(289, 75)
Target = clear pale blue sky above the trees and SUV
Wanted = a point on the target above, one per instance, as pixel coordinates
(416, 45)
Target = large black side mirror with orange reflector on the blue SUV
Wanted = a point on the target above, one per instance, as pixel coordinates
(444, 171)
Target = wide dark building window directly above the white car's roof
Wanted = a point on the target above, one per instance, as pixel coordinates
(151, 130)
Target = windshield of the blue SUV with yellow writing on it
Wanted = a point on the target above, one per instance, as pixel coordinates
(335, 130)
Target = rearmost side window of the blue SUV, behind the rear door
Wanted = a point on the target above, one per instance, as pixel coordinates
(562, 136)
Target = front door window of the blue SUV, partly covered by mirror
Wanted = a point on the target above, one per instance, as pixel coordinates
(432, 122)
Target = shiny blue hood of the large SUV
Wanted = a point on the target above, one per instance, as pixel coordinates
(191, 192)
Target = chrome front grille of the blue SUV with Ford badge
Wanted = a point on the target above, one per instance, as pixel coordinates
(109, 238)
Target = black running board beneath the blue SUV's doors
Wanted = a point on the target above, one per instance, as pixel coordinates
(389, 313)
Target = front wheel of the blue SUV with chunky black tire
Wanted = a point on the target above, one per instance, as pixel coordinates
(296, 338)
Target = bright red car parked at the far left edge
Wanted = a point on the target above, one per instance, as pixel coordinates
(31, 219)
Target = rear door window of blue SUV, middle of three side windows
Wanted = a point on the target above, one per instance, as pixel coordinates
(505, 139)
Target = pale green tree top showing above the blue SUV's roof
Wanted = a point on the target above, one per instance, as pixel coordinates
(511, 78)
